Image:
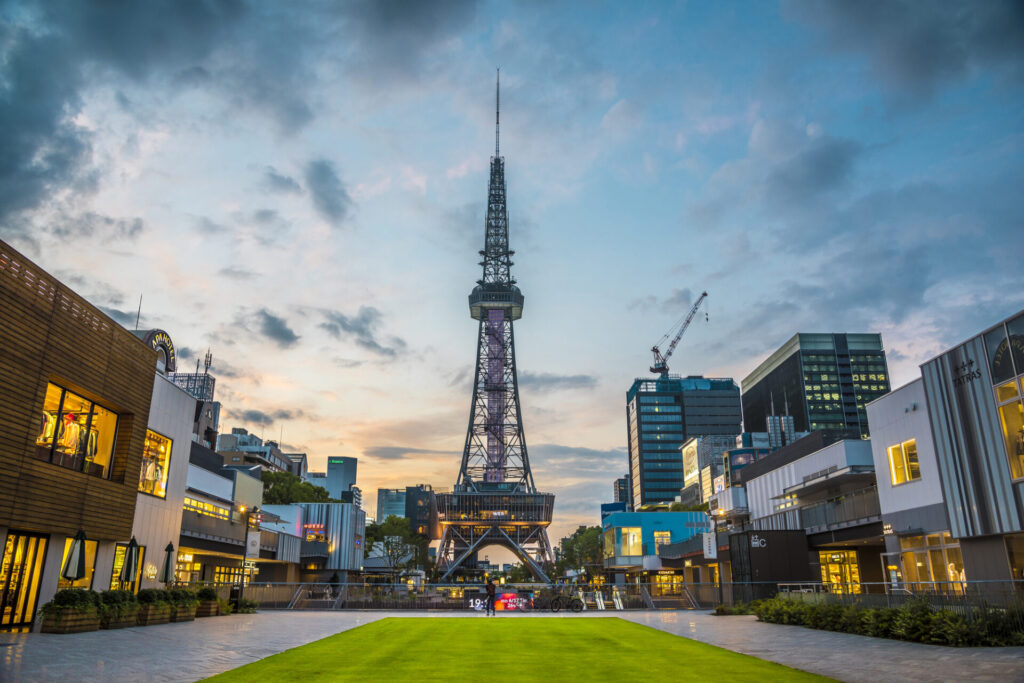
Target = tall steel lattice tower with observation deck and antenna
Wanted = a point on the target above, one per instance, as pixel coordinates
(495, 501)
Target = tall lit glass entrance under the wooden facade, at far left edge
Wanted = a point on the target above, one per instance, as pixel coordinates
(21, 574)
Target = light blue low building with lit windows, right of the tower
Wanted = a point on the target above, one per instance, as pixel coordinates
(631, 541)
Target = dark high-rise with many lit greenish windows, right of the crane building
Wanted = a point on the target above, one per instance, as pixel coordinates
(824, 380)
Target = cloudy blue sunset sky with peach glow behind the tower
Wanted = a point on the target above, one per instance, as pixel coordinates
(301, 188)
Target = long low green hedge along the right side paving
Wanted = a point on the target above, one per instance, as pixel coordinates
(916, 622)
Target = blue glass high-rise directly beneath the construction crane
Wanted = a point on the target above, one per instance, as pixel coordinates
(661, 415)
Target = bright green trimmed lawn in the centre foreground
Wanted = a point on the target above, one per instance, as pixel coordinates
(479, 649)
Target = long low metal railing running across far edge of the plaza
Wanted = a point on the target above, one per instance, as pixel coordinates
(964, 597)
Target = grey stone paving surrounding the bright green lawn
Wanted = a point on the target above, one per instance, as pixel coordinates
(194, 651)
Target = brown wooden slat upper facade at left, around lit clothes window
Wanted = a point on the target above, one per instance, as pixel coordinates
(51, 334)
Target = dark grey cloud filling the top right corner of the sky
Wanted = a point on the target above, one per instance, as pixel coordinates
(913, 48)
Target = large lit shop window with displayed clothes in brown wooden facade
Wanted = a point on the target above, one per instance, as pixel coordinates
(76, 434)
